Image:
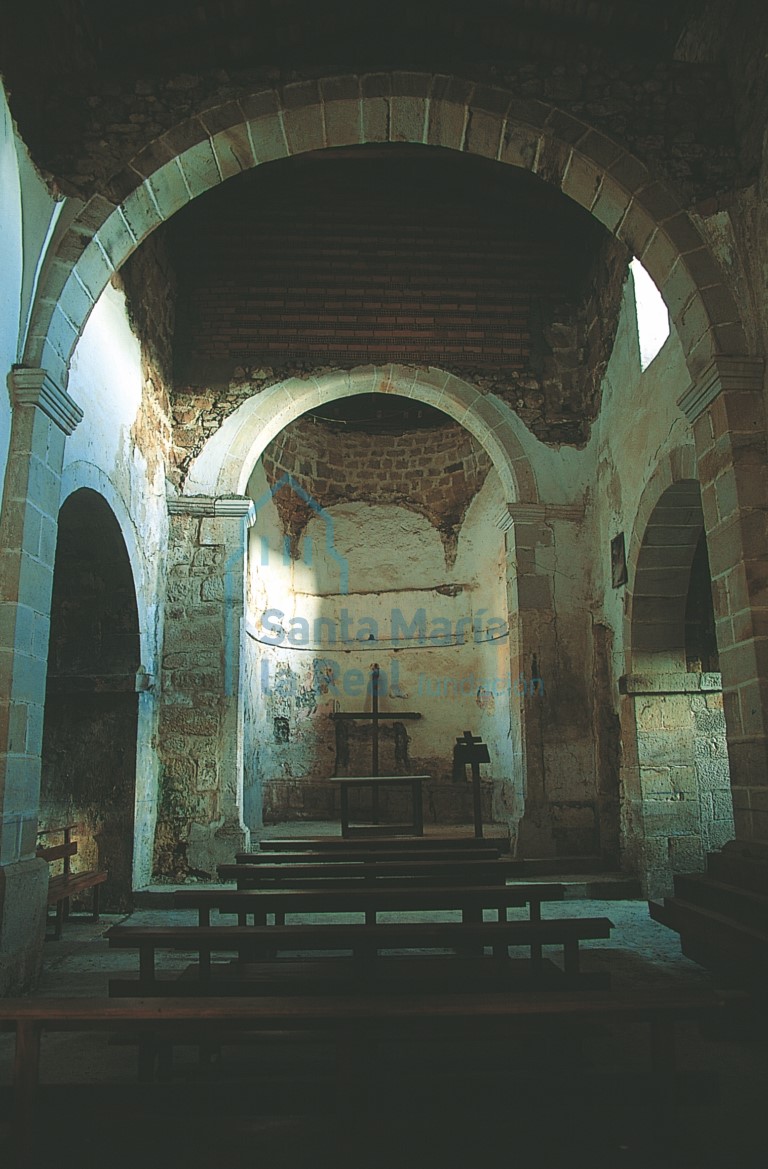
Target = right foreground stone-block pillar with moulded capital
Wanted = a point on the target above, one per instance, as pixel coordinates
(727, 409)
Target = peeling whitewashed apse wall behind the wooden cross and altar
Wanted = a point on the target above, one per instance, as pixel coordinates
(375, 578)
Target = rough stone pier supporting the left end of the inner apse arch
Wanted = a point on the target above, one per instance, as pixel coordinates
(200, 822)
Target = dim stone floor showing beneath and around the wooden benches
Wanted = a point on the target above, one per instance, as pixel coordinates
(475, 1106)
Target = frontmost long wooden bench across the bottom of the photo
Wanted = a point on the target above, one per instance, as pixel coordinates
(356, 1025)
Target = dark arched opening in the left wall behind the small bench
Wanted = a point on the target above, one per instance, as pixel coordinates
(92, 704)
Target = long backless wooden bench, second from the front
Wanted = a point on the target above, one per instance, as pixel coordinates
(364, 942)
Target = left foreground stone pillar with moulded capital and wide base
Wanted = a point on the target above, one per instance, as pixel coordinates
(43, 418)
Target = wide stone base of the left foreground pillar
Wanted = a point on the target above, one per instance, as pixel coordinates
(24, 897)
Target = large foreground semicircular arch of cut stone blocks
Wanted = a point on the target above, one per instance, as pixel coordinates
(434, 110)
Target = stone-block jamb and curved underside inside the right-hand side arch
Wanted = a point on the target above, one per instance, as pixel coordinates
(675, 760)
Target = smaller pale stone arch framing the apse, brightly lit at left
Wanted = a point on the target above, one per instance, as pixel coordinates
(230, 456)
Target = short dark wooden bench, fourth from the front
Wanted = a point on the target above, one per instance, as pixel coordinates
(359, 873)
